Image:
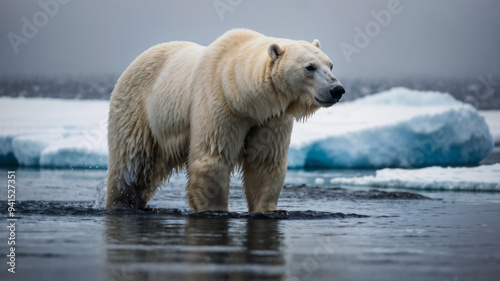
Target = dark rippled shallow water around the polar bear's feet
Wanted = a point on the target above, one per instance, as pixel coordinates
(329, 233)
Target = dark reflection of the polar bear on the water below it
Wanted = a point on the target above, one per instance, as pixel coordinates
(145, 247)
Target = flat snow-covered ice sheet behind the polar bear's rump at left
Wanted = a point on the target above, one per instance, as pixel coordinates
(53, 133)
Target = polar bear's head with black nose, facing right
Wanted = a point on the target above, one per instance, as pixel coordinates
(304, 73)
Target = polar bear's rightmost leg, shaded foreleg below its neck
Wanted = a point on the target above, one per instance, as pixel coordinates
(265, 163)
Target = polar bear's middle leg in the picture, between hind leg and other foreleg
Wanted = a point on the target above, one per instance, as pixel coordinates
(215, 145)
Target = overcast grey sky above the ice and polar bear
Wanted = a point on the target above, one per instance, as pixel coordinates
(422, 38)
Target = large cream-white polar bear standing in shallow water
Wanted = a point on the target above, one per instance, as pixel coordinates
(213, 109)
